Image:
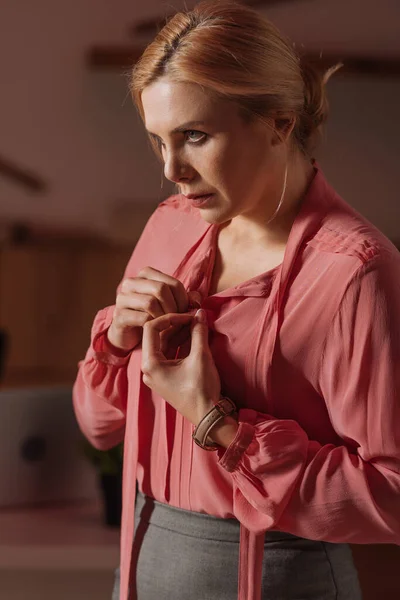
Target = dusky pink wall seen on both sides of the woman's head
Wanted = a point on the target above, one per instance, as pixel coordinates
(78, 128)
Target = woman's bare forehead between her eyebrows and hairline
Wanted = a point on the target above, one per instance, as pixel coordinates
(168, 104)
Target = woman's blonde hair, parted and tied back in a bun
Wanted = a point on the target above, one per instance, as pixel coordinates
(237, 54)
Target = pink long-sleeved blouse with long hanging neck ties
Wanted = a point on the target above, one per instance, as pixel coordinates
(310, 353)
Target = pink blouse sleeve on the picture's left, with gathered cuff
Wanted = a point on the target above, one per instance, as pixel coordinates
(100, 392)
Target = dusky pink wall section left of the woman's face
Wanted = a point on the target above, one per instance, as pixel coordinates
(76, 128)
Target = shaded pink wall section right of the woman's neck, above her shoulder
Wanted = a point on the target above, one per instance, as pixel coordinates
(360, 154)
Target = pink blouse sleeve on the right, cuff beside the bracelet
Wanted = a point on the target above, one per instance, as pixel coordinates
(348, 493)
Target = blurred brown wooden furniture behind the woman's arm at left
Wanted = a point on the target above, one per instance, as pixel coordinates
(48, 309)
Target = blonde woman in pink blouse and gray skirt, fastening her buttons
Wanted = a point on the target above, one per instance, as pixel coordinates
(298, 331)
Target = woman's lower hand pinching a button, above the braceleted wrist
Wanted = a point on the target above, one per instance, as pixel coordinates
(191, 385)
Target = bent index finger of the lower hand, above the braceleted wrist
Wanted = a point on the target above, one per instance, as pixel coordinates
(151, 346)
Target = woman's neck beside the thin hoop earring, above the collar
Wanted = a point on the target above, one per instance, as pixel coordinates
(254, 226)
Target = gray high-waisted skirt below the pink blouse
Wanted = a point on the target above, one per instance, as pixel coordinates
(185, 555)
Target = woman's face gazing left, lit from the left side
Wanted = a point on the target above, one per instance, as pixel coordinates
(208, 148)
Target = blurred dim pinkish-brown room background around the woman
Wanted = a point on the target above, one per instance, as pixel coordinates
(78, 181)
